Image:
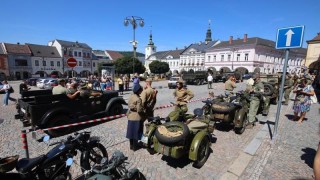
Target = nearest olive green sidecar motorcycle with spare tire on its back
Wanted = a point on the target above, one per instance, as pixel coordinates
(176, 139)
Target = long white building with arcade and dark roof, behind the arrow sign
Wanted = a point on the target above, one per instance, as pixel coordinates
(252, 55)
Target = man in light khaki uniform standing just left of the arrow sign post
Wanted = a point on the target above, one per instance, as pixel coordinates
(257, 89)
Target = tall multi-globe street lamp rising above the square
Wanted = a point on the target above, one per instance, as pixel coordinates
(133, 21)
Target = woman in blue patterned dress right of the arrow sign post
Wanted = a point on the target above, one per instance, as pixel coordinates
(303, 101)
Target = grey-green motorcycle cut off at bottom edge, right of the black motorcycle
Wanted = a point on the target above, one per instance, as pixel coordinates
(115, 168)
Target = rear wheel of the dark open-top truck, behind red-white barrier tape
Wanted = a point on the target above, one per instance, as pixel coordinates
(58, 120)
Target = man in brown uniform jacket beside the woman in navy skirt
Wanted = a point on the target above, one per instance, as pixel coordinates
(149, 98)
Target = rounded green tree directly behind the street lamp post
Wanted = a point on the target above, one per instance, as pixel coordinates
(125, 66)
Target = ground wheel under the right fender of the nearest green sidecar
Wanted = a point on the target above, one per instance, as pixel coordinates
(203, 153)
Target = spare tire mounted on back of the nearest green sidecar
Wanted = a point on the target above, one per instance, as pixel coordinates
(172, 140)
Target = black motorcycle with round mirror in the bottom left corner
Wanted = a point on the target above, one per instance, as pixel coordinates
(53, 164)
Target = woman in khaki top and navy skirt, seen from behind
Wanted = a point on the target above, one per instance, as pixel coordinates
(135, 114)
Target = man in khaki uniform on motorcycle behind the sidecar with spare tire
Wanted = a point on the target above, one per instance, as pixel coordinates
(183, 95)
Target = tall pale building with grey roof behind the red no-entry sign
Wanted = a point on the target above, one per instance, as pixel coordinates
(80, 51)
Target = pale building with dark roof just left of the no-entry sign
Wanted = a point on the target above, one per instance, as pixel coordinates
(45, 60)
